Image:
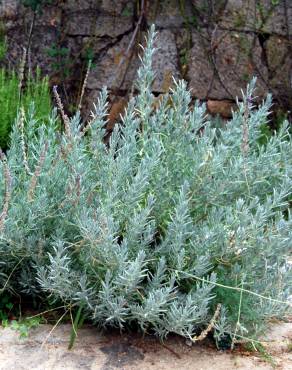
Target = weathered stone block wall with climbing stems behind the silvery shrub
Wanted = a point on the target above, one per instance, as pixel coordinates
(216, 45)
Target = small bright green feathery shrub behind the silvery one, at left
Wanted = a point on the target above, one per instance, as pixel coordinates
(36, 91)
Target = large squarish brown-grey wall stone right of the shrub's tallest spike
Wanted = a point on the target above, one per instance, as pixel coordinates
(221, 67)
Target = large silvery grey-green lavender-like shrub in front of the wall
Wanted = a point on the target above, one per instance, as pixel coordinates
(169, 225)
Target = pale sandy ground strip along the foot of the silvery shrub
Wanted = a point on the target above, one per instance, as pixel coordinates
(94, 350)
